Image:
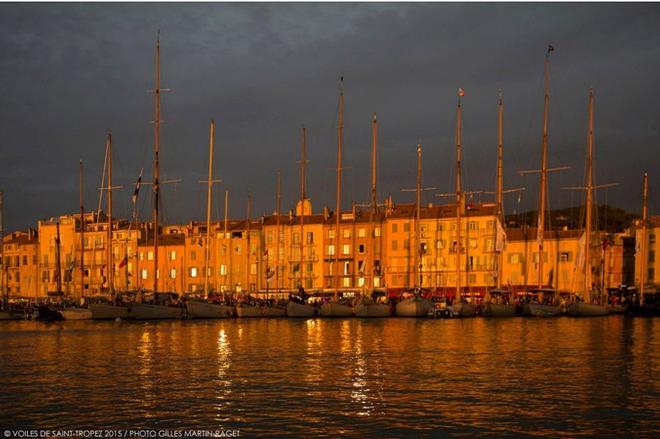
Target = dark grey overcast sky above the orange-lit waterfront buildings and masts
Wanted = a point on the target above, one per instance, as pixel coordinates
(69, 72)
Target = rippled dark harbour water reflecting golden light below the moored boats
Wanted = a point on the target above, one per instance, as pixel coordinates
(389, 377)
